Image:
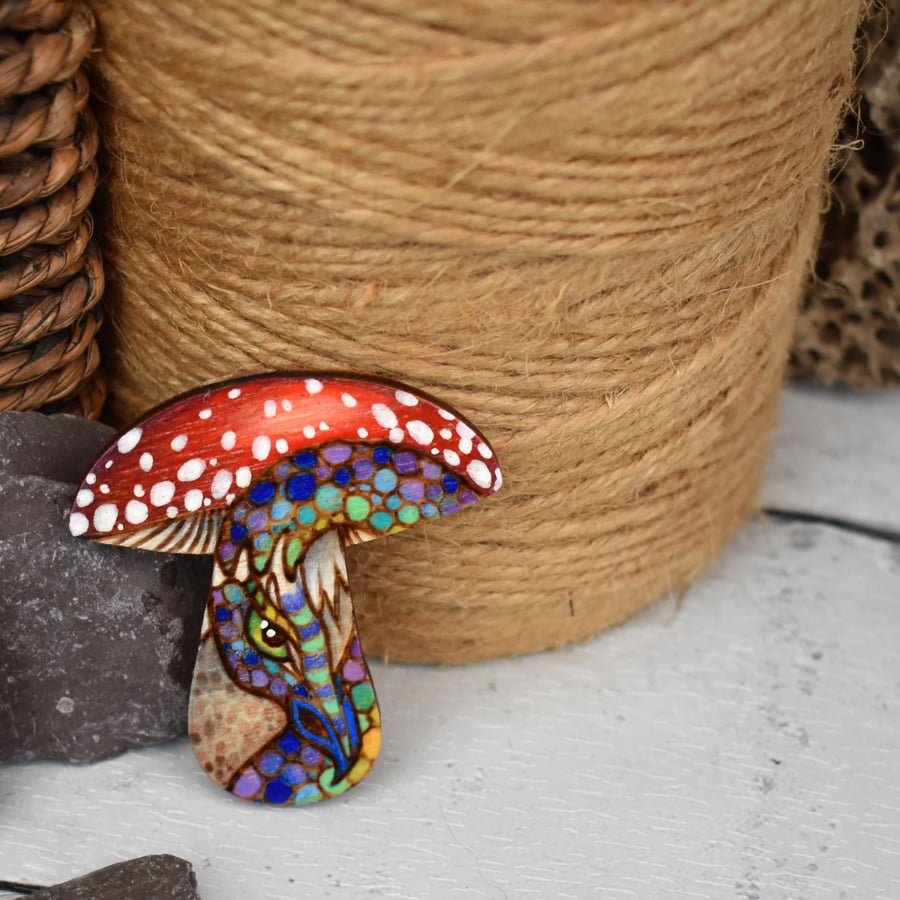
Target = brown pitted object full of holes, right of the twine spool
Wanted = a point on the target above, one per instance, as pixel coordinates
(848, 328)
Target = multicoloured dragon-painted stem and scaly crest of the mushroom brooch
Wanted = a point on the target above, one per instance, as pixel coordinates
(280, 613)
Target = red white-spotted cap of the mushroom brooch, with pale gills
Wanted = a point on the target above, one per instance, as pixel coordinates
(188, 459)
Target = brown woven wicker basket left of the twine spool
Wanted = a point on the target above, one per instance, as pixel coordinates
(52, 276)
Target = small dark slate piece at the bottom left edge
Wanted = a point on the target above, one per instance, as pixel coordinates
(161, 877)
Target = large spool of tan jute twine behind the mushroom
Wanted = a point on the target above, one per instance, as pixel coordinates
(586, 230)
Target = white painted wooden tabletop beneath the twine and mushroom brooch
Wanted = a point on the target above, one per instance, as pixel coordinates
(745, 744)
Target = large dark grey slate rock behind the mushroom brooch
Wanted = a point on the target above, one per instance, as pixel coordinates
(99, 642)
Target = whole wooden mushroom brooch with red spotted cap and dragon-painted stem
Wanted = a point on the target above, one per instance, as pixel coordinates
(275, 475)
